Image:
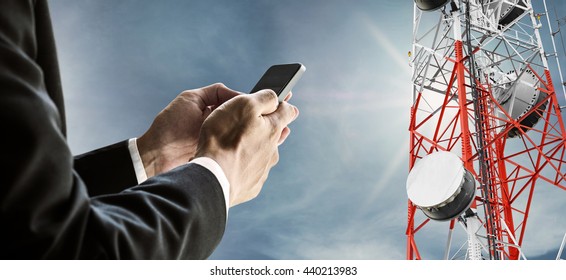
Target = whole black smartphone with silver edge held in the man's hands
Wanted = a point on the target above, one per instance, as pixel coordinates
(280, 78)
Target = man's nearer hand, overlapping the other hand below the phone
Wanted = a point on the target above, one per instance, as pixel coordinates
(243, 136)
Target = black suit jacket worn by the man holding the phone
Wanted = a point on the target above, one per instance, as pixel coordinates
(53, 206)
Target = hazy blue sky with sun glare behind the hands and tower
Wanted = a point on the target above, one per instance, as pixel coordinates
(338, 191)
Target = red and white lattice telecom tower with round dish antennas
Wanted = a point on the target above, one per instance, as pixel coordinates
(486, 127)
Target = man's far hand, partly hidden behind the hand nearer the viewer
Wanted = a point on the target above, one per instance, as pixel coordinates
(173, 136)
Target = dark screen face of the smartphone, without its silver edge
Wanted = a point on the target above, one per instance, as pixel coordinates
(277, 77)
